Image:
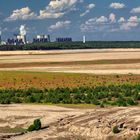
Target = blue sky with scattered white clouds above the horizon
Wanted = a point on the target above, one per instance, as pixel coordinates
(96, 19)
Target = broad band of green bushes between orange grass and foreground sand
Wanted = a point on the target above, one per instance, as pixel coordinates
(121, 95)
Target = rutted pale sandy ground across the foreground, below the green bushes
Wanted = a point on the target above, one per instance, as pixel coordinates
(70, 124)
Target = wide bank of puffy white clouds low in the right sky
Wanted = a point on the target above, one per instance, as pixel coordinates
(109, 24)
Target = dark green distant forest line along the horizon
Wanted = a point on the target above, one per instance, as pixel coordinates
(73, 45)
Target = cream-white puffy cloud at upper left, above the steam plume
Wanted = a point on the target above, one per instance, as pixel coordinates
(22, 14)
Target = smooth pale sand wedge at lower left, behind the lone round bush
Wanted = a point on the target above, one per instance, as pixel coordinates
(23, 115)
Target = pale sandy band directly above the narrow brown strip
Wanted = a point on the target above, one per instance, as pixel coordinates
(69, 57)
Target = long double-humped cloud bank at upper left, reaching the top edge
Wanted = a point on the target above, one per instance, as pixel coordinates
(55, 9)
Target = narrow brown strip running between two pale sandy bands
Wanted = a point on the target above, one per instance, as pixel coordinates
(92, 62)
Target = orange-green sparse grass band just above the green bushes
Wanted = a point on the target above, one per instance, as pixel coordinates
(25, 80)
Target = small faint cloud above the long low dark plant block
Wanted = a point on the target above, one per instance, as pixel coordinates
(59, 25)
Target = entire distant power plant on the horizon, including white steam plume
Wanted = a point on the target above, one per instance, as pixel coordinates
(21, 39)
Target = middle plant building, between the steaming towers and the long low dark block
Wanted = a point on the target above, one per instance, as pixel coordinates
(41, 39)
